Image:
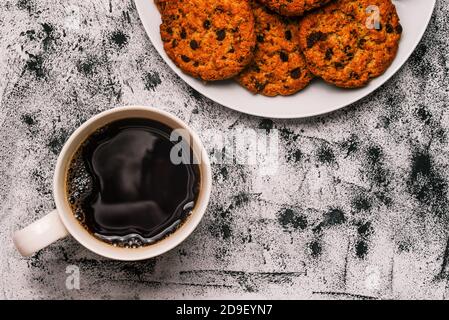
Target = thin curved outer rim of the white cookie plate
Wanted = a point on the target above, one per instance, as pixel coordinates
(185, 78)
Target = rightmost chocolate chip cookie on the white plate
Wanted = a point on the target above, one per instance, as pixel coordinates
(350, 42)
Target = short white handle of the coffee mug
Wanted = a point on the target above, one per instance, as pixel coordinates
(40, 234)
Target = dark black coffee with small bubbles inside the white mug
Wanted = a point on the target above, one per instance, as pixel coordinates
(124, 188)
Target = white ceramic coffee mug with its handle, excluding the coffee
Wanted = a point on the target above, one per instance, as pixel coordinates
(62, 222)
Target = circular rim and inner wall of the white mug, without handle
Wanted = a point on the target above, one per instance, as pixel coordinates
(102, 248)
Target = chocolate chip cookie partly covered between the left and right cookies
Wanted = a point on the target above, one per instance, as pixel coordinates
(278, 67)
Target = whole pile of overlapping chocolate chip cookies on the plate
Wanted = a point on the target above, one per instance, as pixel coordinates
(276, 47)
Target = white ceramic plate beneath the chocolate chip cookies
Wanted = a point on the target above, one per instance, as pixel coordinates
(318, 98)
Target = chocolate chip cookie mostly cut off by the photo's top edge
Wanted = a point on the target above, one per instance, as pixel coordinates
(293, 7)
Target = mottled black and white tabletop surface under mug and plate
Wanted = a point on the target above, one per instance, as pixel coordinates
(359, 208)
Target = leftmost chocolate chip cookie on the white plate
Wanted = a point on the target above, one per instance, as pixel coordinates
(209, 39)
